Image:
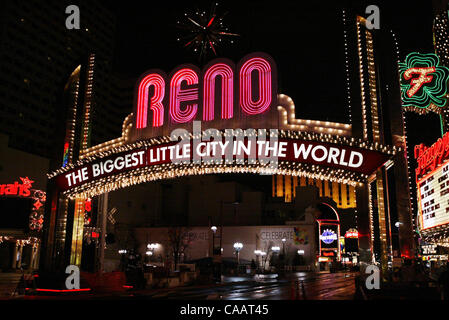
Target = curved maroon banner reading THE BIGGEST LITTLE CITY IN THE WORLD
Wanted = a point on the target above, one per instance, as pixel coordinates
(221, 154)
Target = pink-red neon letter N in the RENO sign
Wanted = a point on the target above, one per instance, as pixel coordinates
(227, 91)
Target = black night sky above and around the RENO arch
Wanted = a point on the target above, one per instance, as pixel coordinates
(304, 38)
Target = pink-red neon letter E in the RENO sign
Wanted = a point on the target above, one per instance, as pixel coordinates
(179, 95)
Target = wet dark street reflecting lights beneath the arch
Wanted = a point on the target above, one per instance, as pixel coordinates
(296, 286)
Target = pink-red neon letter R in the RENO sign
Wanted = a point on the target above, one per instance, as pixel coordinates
(158, 83)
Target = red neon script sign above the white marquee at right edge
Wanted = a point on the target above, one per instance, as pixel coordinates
(429, 158)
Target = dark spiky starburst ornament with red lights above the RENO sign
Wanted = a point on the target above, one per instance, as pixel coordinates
(204, 33)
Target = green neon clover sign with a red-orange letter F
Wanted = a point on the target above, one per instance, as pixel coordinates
(423, 83)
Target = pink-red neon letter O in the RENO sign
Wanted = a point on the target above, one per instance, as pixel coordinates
(263, 102)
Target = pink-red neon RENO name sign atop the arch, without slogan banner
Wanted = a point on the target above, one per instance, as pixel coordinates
(222, 95)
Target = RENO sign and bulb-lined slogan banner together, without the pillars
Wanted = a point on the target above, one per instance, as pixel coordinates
(240, 105)
